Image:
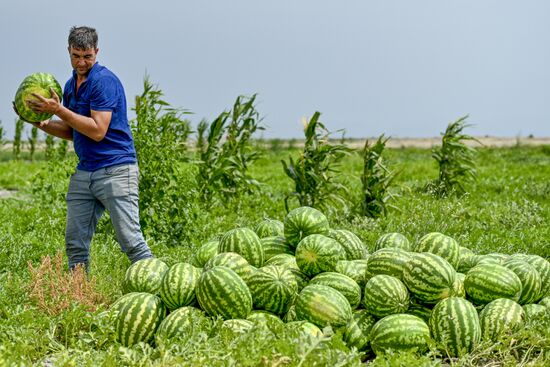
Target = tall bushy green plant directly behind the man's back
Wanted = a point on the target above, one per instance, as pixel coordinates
(160, 135)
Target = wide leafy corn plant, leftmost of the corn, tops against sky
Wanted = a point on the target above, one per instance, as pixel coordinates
(226, 153)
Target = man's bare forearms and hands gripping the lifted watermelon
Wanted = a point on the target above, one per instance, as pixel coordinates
(94, 127)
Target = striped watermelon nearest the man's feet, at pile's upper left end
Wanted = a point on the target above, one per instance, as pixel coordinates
(144, 276)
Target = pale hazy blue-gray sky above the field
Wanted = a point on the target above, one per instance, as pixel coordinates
(399, 67)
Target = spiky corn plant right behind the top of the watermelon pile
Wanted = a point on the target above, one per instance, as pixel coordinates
(314, 170)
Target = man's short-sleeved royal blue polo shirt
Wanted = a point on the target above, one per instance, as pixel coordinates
(102, 91)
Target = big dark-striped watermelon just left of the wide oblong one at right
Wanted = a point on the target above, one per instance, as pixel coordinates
(429, 277)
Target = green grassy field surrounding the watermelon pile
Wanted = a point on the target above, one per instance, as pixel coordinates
(47, 320)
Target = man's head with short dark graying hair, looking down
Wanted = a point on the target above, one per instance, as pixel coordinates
(83, 49)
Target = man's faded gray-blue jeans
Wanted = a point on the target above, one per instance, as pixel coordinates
(90, 193)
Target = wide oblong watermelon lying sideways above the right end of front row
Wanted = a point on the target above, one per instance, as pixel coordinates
(486, 282)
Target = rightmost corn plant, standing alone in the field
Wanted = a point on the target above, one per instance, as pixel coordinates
(456, 160)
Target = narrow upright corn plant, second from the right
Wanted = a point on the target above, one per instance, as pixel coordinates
(376, 181)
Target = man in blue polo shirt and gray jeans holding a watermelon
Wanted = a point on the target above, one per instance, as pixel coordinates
(93, 115)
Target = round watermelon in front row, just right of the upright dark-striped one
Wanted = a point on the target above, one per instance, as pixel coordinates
(500, 316)
